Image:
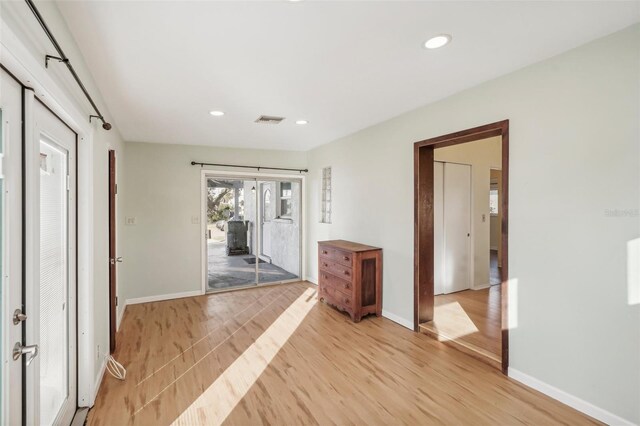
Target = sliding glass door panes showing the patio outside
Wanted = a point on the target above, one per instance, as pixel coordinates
(252, 230)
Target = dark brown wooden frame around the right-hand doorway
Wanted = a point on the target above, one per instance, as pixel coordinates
(424, 222)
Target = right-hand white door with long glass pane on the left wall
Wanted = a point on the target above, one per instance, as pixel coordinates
(51, 268)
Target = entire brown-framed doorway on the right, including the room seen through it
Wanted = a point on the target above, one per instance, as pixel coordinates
(460, 267)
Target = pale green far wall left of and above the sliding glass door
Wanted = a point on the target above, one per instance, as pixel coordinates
(162, 252)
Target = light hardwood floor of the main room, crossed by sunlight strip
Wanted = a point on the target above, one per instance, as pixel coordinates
(274, 355)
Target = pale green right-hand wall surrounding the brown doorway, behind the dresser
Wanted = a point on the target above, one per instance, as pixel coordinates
(574, 154)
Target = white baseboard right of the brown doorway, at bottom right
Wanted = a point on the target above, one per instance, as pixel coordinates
(568, 399)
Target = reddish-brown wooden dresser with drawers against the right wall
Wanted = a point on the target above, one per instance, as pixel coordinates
(350, 277)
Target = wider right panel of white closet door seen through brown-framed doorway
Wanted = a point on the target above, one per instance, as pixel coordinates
(457, 227)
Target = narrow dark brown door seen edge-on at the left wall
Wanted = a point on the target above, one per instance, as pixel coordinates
(112, 251)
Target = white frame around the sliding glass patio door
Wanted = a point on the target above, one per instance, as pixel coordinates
(259, 176)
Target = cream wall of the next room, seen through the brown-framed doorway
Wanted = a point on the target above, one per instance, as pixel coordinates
(481, 156)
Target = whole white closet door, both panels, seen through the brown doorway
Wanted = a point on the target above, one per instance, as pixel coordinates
(452, 227)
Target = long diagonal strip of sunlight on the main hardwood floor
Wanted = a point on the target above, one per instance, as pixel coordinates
(219, 399)
